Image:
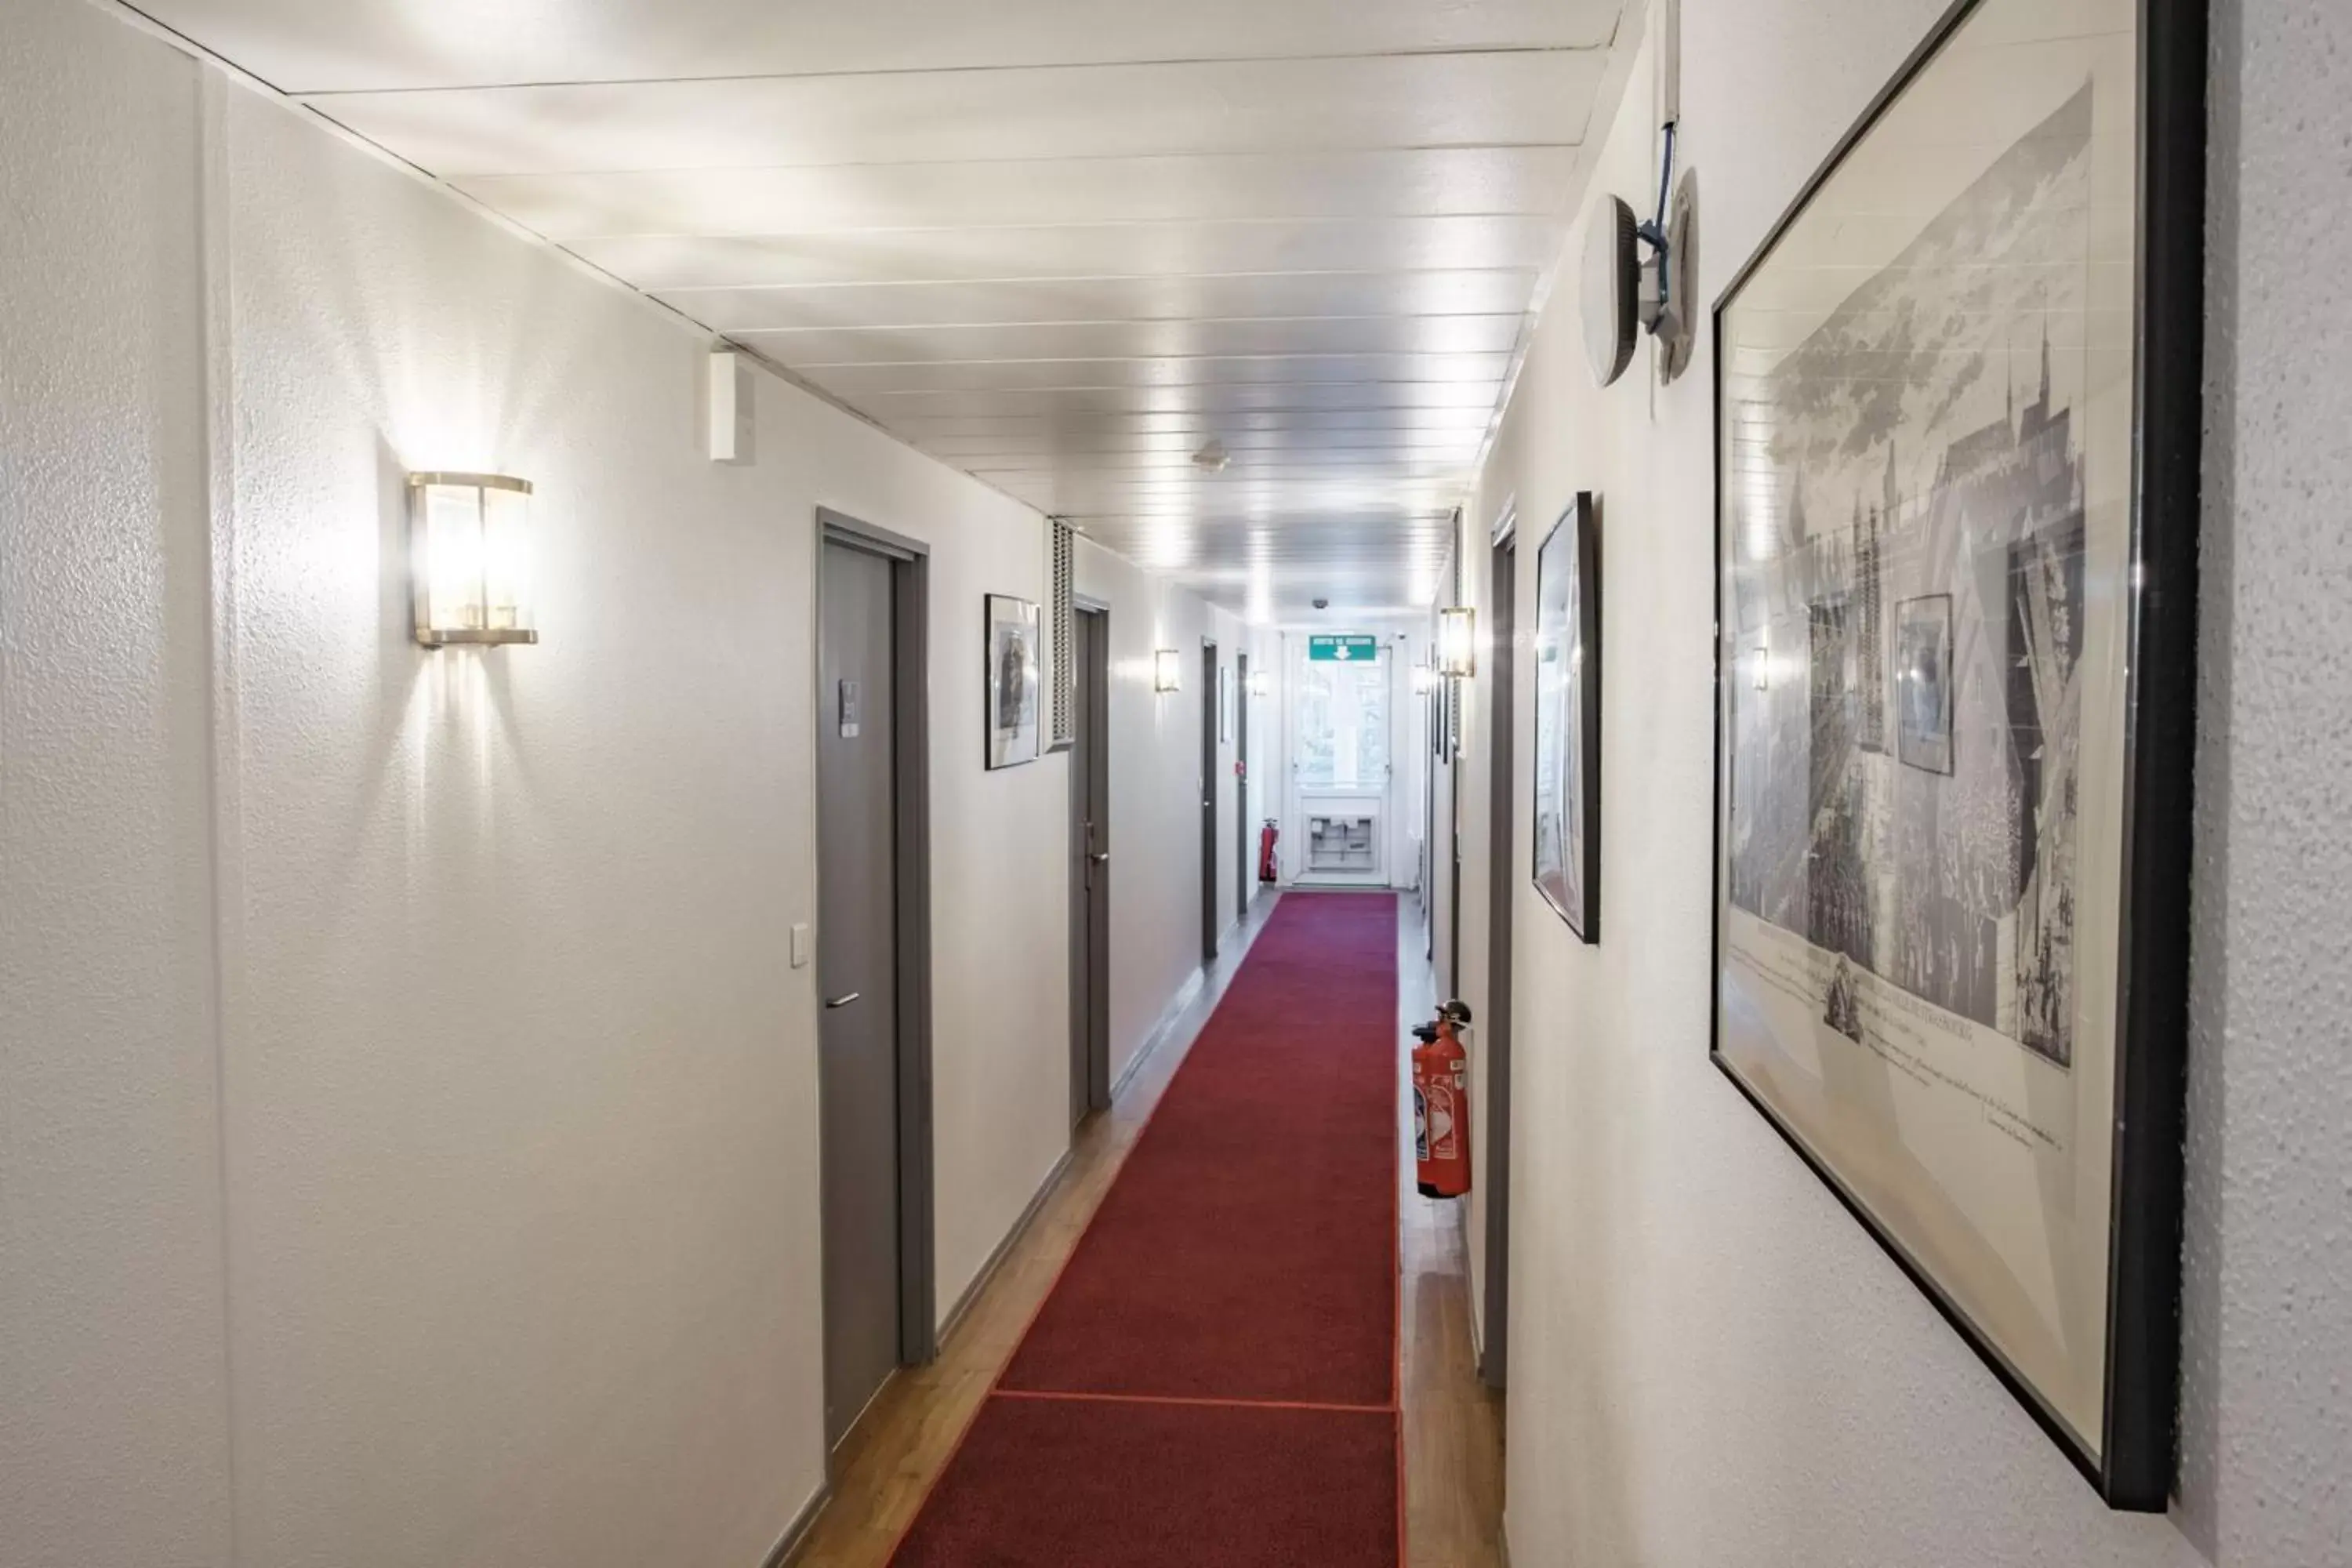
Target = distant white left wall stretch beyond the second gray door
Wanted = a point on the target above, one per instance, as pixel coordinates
(1156, 789)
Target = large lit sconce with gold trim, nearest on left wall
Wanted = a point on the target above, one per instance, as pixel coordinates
(469, 556)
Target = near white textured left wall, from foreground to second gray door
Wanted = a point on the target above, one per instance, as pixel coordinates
(493, 1165)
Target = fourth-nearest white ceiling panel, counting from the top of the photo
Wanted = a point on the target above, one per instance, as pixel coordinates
(1114, 250)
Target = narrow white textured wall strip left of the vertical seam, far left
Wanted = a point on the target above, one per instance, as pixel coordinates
(114, 1438)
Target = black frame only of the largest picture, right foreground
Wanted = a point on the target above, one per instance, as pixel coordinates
(2137, 1459)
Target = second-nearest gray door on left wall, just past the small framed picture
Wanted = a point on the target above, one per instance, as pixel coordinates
(1090, 869)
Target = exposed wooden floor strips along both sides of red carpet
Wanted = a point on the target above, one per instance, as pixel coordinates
(1452, 1426)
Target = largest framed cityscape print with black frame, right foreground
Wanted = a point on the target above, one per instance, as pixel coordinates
(1958, 424)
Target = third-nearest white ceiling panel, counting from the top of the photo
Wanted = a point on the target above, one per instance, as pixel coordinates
(1396, 182)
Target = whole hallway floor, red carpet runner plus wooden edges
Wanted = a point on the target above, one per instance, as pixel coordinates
(1212, 1362)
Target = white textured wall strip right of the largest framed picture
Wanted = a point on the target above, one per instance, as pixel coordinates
(2266, 1426)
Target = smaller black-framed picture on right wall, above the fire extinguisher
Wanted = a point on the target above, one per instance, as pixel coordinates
(1570, 718)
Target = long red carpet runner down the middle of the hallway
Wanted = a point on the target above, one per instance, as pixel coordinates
(1215, 1376)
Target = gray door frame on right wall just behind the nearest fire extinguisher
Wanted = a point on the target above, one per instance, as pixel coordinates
(1502, 902)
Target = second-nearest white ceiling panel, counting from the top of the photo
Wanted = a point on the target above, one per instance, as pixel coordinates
(989, 116)
